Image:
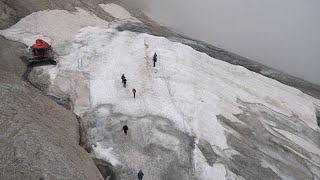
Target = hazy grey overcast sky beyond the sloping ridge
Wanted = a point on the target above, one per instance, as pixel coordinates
(284, 34)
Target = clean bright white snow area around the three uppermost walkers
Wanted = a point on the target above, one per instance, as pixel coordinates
(180, 81)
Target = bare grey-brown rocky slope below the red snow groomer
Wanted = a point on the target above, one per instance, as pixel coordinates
(39, 138)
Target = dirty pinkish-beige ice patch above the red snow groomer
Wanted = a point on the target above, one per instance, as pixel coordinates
(58, 27)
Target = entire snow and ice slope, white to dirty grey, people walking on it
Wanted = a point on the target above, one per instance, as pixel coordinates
(194, 117)
